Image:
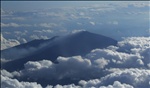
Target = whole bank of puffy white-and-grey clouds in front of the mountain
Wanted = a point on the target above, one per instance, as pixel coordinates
(126, 65)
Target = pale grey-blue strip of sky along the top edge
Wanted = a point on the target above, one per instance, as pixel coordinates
(31, 5)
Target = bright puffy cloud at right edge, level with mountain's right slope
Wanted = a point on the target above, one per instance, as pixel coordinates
(138, 46)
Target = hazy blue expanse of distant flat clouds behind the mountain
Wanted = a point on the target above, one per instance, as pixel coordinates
(120, 19)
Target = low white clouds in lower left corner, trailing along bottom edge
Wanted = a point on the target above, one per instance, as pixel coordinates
(7, 80)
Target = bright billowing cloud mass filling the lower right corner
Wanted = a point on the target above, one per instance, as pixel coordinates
(131, 78)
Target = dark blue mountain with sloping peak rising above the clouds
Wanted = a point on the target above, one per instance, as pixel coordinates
(79, 43)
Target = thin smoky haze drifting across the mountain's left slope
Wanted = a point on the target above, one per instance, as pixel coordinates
(17, 53)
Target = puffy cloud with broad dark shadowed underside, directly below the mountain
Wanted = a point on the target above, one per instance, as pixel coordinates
(68, 67)
